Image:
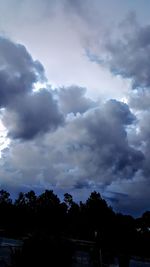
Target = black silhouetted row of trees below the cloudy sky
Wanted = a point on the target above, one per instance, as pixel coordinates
(45, 216)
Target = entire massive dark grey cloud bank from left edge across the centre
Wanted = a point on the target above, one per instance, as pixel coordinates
(66, 140)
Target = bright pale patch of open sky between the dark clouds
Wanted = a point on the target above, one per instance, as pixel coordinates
(58, 37)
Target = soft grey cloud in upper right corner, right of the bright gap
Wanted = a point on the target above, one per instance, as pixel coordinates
(127, 53)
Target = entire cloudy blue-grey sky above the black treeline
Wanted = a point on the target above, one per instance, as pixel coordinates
(75, 99)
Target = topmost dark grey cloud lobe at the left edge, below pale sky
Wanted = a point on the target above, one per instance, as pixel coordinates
(18, 71)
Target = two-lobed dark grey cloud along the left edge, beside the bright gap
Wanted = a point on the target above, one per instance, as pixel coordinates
(27, 113)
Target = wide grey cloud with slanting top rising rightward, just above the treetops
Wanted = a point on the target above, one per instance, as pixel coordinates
(90, 152)
